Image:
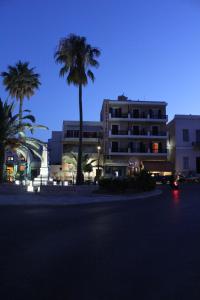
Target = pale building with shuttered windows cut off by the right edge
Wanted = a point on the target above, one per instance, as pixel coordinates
(184, 143)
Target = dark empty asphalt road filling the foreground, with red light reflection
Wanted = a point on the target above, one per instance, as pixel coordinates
(141, 249)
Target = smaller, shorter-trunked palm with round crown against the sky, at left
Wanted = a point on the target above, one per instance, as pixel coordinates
(21, 81)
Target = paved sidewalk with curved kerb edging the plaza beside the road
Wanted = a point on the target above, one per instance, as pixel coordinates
(81, 195)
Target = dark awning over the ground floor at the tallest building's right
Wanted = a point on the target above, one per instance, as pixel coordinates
(158, 166)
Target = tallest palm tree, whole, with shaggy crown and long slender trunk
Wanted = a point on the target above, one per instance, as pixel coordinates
(76, 58)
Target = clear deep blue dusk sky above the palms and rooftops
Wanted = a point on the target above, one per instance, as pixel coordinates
(150, 50)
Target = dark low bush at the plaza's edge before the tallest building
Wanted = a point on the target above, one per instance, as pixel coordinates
(141, 182)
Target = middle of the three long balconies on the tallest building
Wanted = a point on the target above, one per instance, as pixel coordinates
(141, 134)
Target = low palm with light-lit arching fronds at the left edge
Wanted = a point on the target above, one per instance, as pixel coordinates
(12, 134)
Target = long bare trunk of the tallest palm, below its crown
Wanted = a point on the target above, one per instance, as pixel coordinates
(79, 175)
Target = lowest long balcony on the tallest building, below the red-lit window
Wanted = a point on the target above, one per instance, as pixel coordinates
(137, 152)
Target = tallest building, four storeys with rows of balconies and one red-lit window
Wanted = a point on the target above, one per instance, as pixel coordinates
(134, 136)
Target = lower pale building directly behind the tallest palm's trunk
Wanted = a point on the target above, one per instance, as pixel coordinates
(64, 144)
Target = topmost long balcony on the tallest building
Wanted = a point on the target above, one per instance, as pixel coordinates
(138, 117)
